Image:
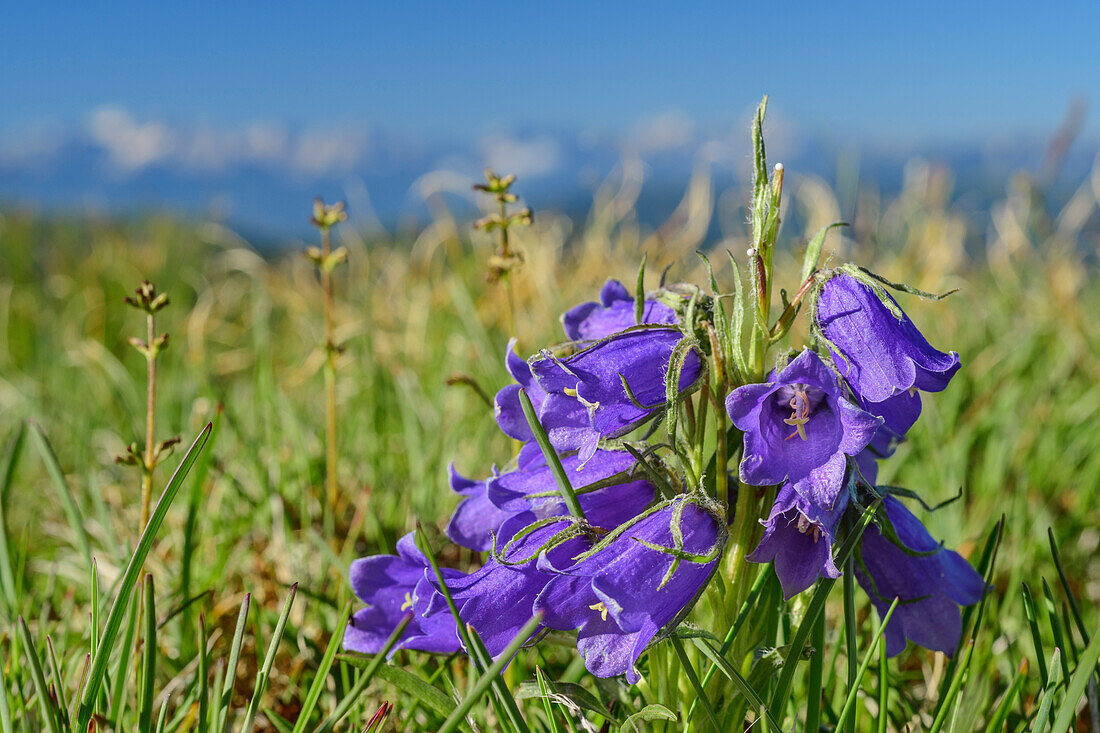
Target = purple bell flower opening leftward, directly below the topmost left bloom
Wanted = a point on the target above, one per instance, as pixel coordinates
(593, 379)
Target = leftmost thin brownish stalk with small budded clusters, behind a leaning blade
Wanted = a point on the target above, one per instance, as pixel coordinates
(150, 302)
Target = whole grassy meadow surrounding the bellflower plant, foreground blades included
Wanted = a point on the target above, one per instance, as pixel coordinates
(424, 332)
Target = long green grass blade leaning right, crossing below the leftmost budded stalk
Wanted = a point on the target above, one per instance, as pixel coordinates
(130, 579)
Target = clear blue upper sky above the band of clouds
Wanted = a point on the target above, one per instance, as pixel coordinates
(930, 70)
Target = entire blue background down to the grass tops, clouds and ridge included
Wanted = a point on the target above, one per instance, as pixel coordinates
(243, 111)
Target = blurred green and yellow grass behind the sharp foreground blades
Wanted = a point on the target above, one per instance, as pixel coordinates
(1017, 432)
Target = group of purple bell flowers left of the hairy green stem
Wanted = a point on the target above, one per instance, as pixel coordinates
(635, 557)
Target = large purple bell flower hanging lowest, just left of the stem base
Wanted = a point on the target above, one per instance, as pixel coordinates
(621, 597)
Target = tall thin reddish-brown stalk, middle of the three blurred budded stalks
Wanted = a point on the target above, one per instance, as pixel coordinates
(326, 260)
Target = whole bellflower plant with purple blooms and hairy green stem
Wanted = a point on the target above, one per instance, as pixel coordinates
(619, 520)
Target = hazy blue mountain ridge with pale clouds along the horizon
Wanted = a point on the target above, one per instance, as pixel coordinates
(261, 178)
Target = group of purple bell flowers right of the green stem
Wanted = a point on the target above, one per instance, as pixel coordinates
(818, 430)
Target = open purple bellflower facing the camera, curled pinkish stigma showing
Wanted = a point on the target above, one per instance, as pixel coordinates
(800, 430)
